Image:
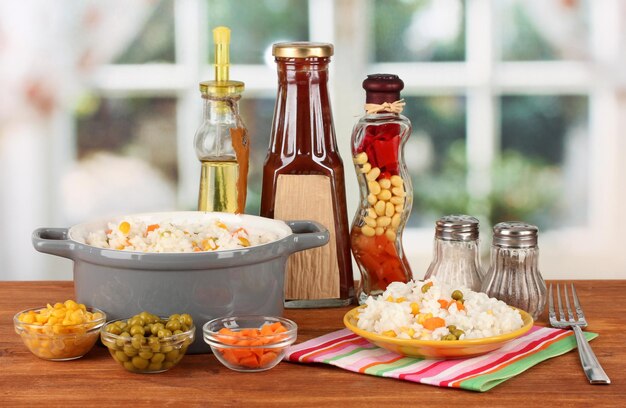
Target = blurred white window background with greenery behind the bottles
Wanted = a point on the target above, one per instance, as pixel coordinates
(515, 106)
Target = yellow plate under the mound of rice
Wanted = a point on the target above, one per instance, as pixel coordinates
(437, 349)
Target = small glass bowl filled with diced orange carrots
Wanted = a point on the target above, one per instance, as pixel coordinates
(250, 343)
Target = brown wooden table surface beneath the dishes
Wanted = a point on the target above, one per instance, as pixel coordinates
(200, 380)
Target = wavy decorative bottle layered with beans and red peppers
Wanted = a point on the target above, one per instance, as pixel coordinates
(386, 194)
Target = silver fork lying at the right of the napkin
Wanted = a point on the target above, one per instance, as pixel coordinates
(591, 366)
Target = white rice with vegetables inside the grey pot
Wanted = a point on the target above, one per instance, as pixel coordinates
(214, 235)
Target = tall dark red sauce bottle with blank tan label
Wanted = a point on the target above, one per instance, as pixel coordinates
(303, 176)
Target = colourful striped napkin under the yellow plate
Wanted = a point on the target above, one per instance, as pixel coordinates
(351, 352)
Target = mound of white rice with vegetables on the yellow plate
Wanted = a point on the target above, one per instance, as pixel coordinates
(433, 310)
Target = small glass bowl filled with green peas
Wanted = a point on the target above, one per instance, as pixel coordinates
(146, 343)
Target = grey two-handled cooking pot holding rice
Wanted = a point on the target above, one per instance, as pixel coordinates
(204, 284)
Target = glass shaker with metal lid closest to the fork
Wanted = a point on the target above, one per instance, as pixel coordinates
(514, 276)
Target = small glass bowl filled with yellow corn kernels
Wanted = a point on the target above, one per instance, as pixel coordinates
(59, 332)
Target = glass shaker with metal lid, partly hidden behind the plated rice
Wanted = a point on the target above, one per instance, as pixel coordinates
(456, 257)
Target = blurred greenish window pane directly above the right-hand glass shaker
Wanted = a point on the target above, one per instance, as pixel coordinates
(542, 173)
